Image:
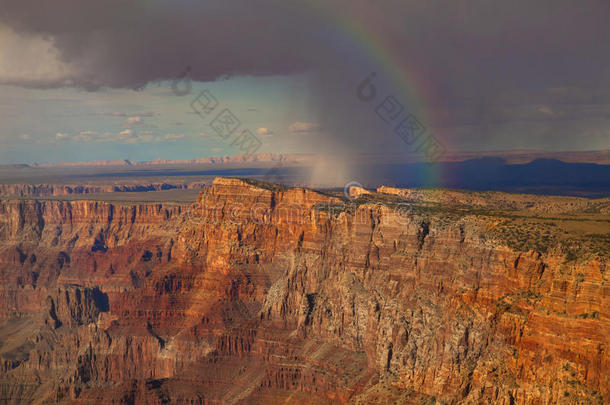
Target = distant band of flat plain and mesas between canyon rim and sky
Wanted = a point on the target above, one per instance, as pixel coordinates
(584, 174)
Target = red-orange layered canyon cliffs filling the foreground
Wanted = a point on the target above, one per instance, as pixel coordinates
(260, 293)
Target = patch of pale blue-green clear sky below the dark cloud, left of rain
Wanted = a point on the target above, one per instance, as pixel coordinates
(68, 124)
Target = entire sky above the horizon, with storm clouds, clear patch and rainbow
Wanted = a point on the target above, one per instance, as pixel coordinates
(91, 80)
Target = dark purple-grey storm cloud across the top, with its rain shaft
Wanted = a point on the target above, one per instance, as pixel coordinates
(483, 62)
